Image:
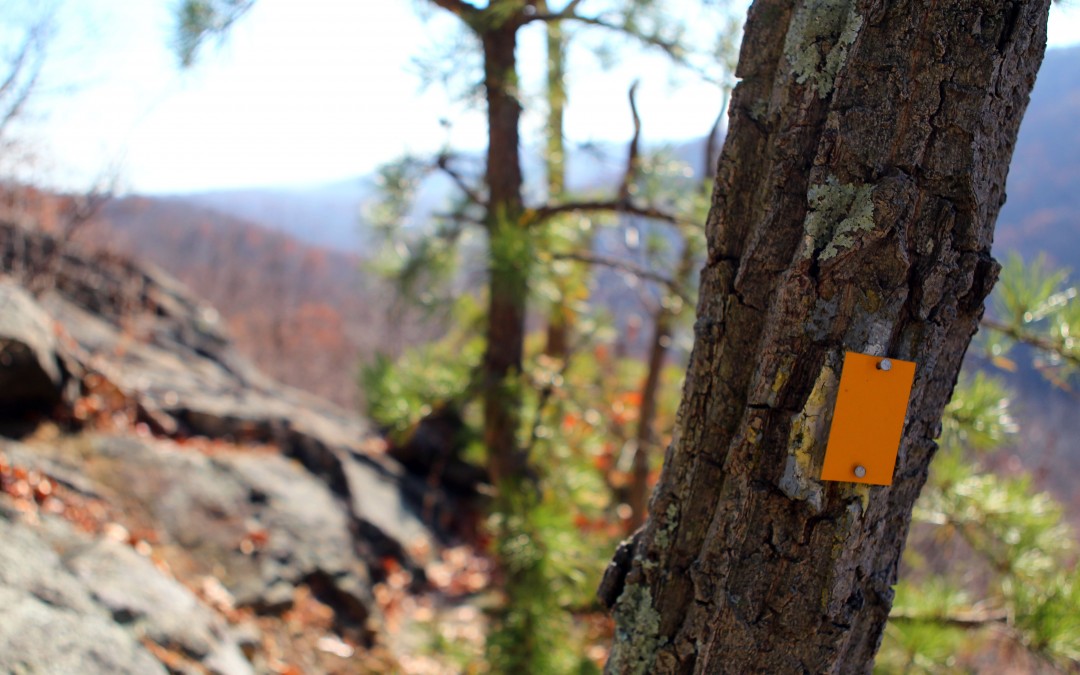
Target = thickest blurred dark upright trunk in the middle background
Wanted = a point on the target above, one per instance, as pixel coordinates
(509, 256)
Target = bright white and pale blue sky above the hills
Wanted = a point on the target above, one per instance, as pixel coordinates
(308, 92)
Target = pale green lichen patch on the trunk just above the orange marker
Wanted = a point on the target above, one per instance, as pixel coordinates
(839, 213)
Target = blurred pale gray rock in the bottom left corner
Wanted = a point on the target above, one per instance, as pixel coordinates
(113, 591)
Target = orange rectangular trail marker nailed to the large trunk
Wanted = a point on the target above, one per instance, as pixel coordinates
(869, 420)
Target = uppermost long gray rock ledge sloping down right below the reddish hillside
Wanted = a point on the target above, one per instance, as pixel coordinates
(167, 350)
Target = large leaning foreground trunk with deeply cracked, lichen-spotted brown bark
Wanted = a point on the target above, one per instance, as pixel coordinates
(854, 210)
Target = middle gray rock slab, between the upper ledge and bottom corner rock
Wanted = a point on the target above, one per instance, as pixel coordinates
(211, 505)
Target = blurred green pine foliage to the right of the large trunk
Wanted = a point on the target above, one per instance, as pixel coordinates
(1004, 577)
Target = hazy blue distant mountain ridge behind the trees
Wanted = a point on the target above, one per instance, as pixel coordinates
(1043, 212)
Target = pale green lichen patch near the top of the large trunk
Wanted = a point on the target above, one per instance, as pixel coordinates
(818, 42)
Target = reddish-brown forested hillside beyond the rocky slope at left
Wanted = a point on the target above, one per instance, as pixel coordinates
(308, 316)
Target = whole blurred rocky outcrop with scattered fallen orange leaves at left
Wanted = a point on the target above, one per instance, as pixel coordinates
(183, 499)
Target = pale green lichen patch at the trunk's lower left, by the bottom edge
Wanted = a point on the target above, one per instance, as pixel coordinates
(638, 632)
